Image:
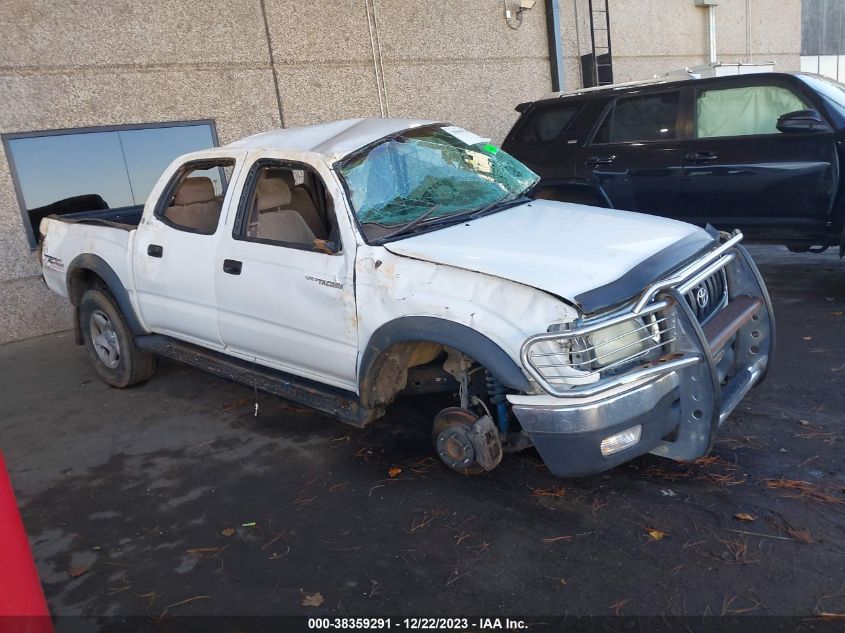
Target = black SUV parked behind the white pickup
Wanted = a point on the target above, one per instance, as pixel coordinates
(759, 152)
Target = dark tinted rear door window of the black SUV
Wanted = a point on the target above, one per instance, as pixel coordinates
(642, 118)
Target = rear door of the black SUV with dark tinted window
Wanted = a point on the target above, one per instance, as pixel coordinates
(635, 154)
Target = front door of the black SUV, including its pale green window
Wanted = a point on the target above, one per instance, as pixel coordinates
(741, 172)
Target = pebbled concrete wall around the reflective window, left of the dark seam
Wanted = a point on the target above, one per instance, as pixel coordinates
(85, 63)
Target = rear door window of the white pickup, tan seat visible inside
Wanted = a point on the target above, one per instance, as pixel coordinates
(194, 198)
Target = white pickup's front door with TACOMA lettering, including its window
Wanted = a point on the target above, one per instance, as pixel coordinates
(284, 284)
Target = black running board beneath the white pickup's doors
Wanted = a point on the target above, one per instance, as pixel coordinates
(338, 403)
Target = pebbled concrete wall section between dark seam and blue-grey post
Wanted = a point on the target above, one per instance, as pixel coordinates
(455, 60)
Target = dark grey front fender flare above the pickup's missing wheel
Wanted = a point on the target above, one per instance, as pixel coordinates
(426, 330)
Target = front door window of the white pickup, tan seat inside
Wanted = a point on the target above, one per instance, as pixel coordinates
(287, 205)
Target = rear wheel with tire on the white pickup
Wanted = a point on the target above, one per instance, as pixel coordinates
(110, 343)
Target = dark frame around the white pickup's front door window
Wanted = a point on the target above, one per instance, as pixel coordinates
(239, 226)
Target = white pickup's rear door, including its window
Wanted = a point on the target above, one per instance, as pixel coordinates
(174, 251)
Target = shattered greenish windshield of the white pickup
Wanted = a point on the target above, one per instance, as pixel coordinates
(430, 176)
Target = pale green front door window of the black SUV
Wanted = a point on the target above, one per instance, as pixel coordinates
(743, 111)
